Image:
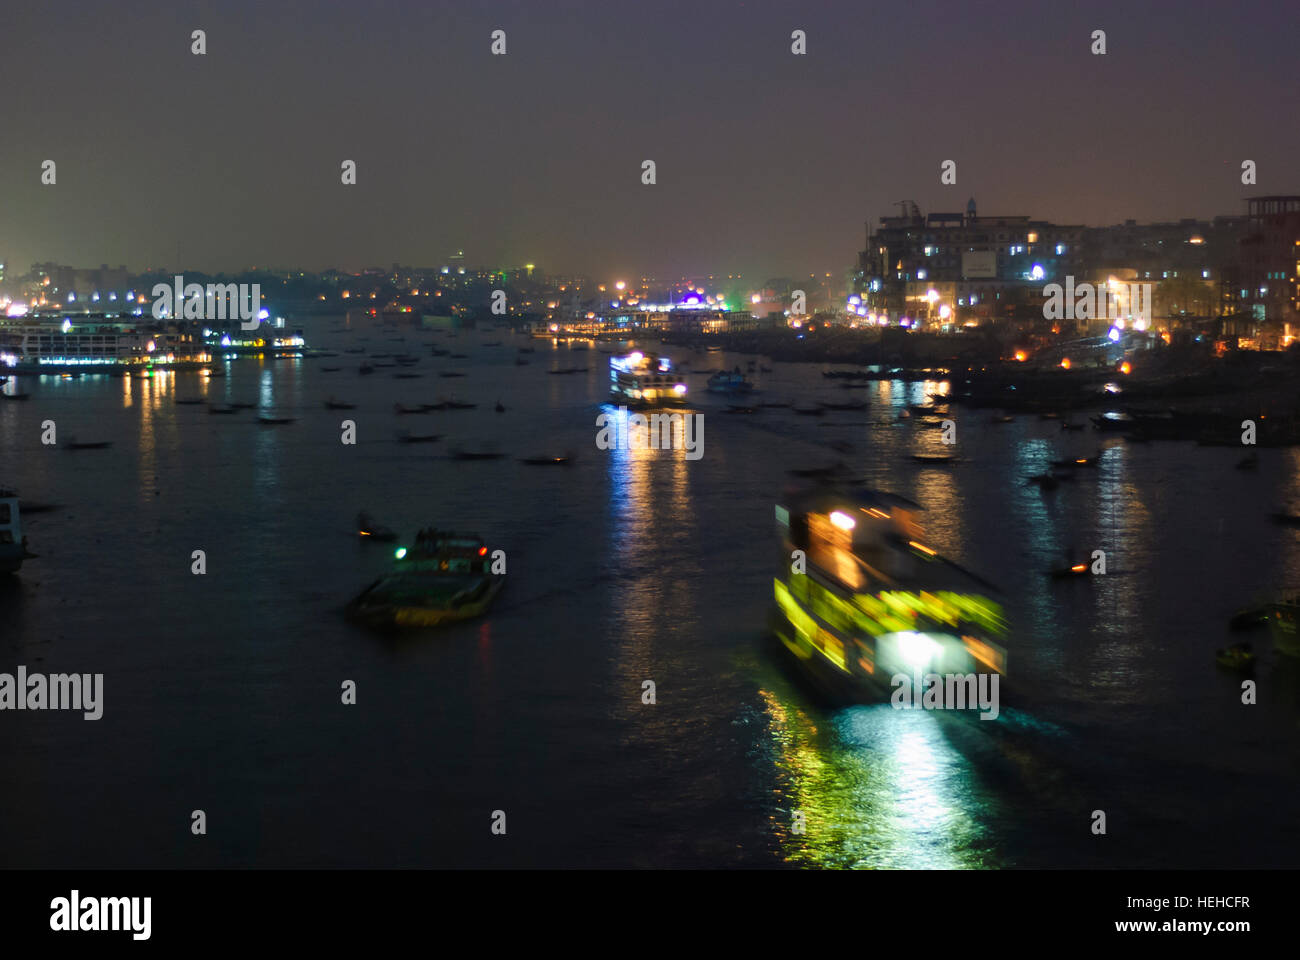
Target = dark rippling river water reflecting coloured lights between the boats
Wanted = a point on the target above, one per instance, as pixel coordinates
(223, 693)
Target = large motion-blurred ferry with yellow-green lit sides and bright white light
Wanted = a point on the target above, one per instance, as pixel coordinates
(873, 600)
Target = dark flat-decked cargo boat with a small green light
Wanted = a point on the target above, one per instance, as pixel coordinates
(444, 578)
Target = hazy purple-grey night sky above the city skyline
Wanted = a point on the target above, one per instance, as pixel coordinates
(768, 163)
